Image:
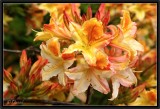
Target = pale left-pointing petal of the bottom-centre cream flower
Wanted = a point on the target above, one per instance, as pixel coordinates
(74, 75)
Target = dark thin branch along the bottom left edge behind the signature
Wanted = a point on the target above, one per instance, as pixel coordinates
(21, 101)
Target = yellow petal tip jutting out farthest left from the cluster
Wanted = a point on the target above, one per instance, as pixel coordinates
(43, 36)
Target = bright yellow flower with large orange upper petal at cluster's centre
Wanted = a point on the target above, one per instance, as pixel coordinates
(89, 39)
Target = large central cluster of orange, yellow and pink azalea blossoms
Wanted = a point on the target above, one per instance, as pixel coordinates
(85, 51)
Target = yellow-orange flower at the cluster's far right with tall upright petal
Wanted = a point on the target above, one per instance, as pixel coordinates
(124, 36)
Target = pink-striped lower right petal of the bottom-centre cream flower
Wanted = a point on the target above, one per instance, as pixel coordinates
(99, 83)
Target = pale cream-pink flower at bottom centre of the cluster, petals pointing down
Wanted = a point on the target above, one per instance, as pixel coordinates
(83, 76)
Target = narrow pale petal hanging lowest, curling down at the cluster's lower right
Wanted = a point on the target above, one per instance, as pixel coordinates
(116, 85)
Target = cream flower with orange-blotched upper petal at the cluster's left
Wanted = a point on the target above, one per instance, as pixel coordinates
(57, 65)
